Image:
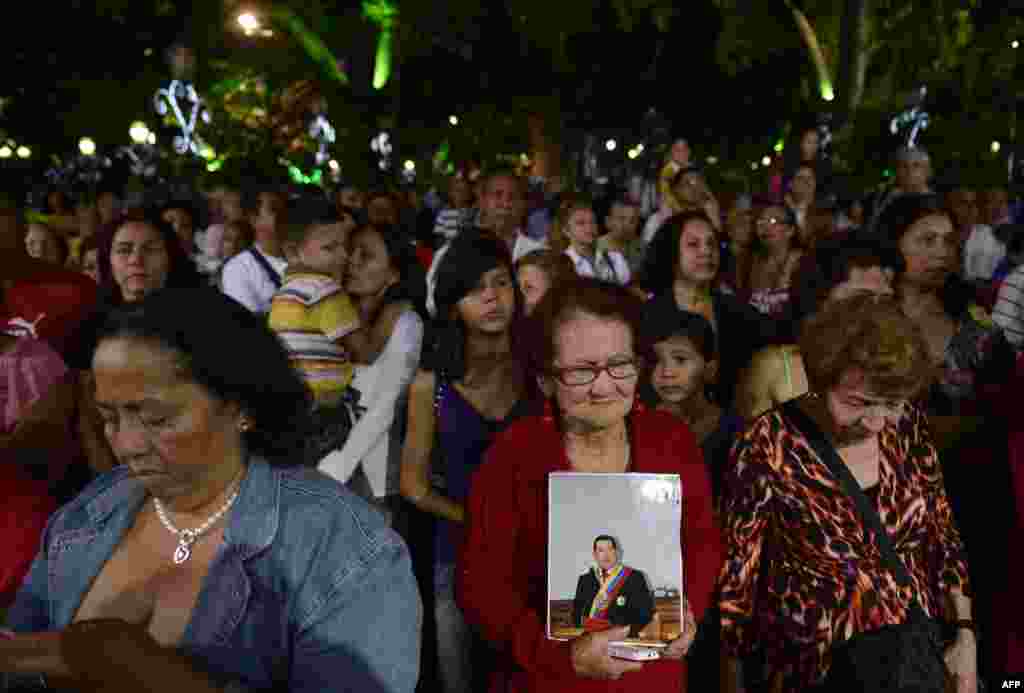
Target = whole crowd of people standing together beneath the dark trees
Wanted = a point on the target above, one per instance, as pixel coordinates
(268, 440)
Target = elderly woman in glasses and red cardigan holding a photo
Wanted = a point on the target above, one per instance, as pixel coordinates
(586, 351)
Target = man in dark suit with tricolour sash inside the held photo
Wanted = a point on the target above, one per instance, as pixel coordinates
(612, 594)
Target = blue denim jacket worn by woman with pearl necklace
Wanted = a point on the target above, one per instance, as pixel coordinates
(309, 592)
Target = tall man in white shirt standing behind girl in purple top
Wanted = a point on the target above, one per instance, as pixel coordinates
(503, 203)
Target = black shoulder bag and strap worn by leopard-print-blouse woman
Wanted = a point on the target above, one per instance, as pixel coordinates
(905, 659)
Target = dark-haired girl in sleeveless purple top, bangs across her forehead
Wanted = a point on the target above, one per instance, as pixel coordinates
(473, 386)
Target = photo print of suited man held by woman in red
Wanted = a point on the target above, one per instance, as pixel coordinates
(616, 555)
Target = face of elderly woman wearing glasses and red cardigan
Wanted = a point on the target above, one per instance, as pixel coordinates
(590, 342)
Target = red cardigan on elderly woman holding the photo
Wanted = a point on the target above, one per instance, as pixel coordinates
(502, 577)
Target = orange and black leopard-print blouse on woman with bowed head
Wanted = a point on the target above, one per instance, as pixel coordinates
(800, 574)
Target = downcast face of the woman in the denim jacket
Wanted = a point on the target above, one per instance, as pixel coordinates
(169, 431)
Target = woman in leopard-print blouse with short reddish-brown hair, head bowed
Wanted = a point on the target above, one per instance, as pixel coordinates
(800, 576)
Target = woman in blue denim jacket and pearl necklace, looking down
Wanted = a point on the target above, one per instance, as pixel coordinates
(203, 562)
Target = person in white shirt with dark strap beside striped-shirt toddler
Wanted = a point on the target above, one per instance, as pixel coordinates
(252, 277)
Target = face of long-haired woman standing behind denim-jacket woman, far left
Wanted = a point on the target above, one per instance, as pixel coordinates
(140, 261)
